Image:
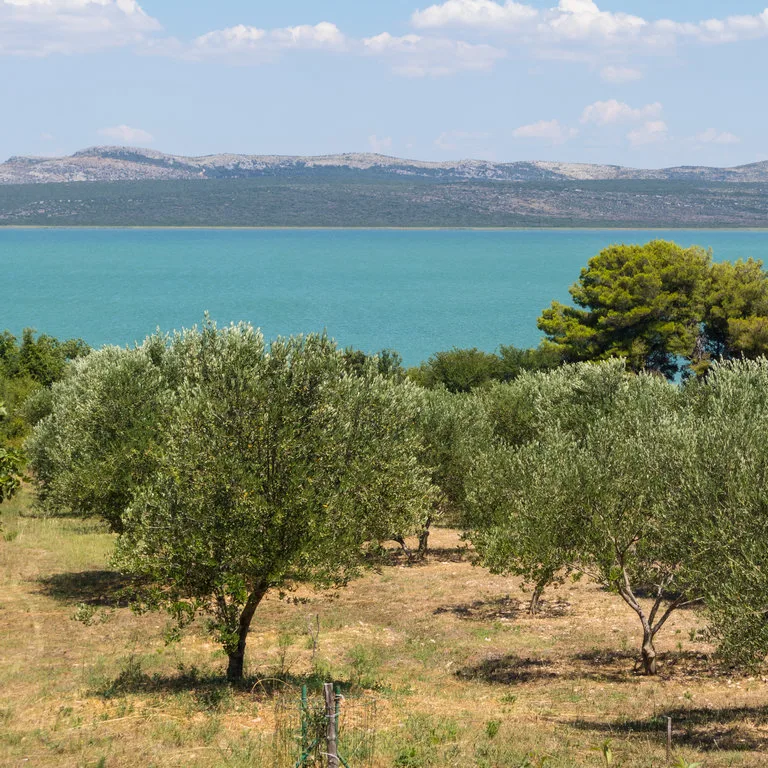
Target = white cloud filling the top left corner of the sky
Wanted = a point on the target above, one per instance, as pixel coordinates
(45, 27)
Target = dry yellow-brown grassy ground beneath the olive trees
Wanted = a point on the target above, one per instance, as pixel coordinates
(460, 675)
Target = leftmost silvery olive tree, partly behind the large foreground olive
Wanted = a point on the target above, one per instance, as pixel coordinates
(95, 447)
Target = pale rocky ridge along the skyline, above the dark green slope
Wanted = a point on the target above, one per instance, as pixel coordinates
(119, 164)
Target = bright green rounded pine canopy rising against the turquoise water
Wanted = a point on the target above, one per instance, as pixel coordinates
(662, 307)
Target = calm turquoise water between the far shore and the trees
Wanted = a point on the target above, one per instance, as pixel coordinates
(415, 291)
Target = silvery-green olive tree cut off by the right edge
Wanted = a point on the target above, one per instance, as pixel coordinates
(727, 496)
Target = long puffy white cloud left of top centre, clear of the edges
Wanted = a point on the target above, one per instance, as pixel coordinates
(241, 39)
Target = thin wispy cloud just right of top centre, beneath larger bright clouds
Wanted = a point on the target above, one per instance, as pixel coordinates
(416, 56)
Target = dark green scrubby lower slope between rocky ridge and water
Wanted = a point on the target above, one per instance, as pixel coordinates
(344, 198)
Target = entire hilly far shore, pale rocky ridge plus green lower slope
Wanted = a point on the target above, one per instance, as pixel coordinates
(119, 186)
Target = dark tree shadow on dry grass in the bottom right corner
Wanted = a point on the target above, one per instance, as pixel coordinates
(733, 729)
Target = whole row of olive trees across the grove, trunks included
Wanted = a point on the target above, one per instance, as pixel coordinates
(229, 467)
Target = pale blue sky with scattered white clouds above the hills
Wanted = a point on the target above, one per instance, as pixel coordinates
(643, 83)
